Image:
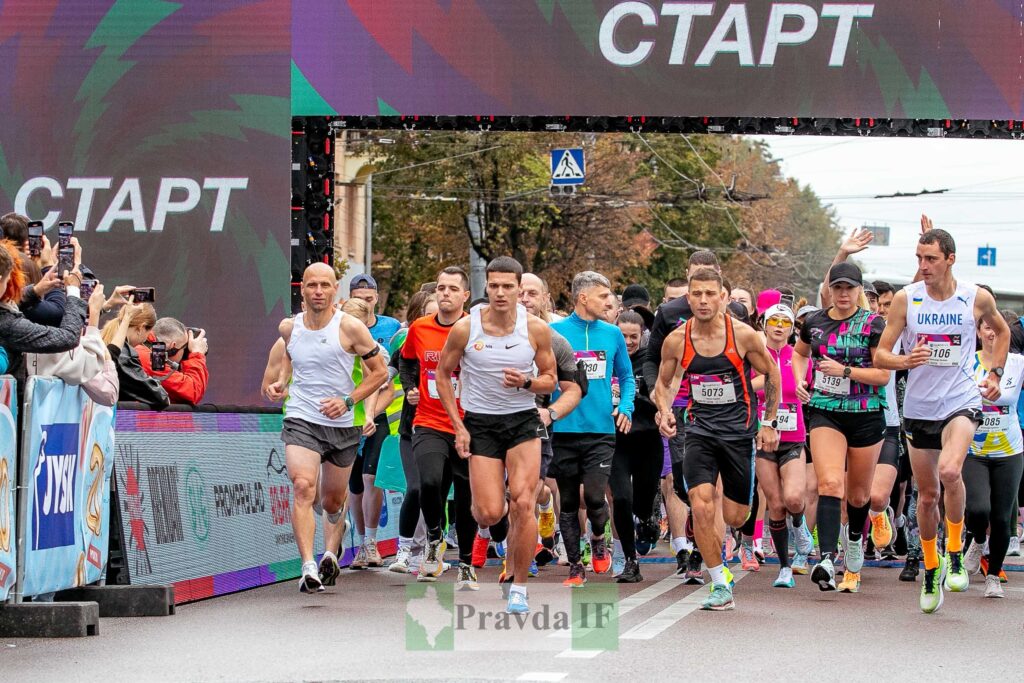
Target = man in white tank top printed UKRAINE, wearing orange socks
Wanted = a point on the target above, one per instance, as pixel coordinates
(937, 319)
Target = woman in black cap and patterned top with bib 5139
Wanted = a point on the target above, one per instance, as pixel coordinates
(845, 418)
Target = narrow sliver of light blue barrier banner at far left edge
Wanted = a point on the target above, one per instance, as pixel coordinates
(9, 483)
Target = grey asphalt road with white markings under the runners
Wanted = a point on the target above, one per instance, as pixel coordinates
(366, 627)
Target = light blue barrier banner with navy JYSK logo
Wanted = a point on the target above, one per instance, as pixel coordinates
(67, 452)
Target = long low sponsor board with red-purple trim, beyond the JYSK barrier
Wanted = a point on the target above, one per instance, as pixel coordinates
(204, 501)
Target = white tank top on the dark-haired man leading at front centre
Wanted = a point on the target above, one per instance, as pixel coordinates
(484, 363)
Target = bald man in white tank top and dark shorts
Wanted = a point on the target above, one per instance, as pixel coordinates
(321, 443)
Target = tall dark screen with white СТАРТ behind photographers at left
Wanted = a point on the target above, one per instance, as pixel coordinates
(162, 131)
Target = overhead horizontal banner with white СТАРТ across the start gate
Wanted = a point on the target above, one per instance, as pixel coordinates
(890, 59)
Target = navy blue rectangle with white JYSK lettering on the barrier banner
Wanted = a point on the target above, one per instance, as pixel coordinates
(54, 509)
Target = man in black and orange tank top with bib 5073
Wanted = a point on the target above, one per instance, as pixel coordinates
(716, 355)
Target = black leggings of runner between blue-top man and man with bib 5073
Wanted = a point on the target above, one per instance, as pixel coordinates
(636, 473)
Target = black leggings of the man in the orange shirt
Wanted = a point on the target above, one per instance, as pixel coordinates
(440, 467)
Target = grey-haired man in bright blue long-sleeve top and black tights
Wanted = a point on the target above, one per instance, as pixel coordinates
(585, 441)
